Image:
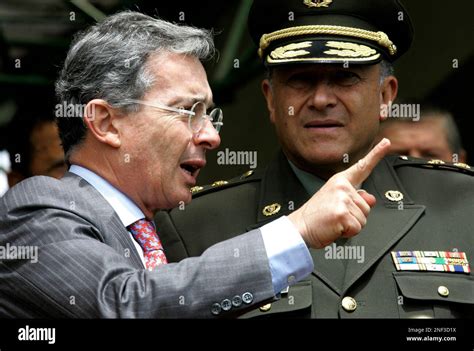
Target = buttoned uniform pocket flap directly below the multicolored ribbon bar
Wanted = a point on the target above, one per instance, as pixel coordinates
(436, 286)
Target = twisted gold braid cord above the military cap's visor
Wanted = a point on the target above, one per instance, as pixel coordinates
(380, 37)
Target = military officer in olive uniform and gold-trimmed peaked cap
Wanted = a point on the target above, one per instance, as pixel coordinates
(329, 71)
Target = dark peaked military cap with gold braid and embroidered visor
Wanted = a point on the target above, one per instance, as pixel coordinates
(330, 31)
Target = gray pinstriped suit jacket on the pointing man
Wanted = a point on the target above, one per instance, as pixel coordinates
(88, 265)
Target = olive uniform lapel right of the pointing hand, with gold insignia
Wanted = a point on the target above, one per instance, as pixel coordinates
(387, 224)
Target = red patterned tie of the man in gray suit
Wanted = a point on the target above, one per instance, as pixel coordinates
(145, 234)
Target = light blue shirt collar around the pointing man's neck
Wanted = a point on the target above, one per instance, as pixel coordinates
(127, 211)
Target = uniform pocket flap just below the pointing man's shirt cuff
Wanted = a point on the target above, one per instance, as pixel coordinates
(294, 303)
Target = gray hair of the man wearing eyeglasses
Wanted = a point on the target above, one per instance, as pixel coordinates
(109, 61)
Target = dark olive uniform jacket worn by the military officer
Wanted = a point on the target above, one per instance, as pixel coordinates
(437, 213)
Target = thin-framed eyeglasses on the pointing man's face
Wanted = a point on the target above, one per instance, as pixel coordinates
(197, 116)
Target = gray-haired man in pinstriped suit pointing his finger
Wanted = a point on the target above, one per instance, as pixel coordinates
(133, 124)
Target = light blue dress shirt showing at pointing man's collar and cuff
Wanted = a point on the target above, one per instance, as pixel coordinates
(289, 258)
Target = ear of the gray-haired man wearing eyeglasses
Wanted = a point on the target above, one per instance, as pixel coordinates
(100, 119)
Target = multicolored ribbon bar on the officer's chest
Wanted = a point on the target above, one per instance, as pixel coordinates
(433, 261)
